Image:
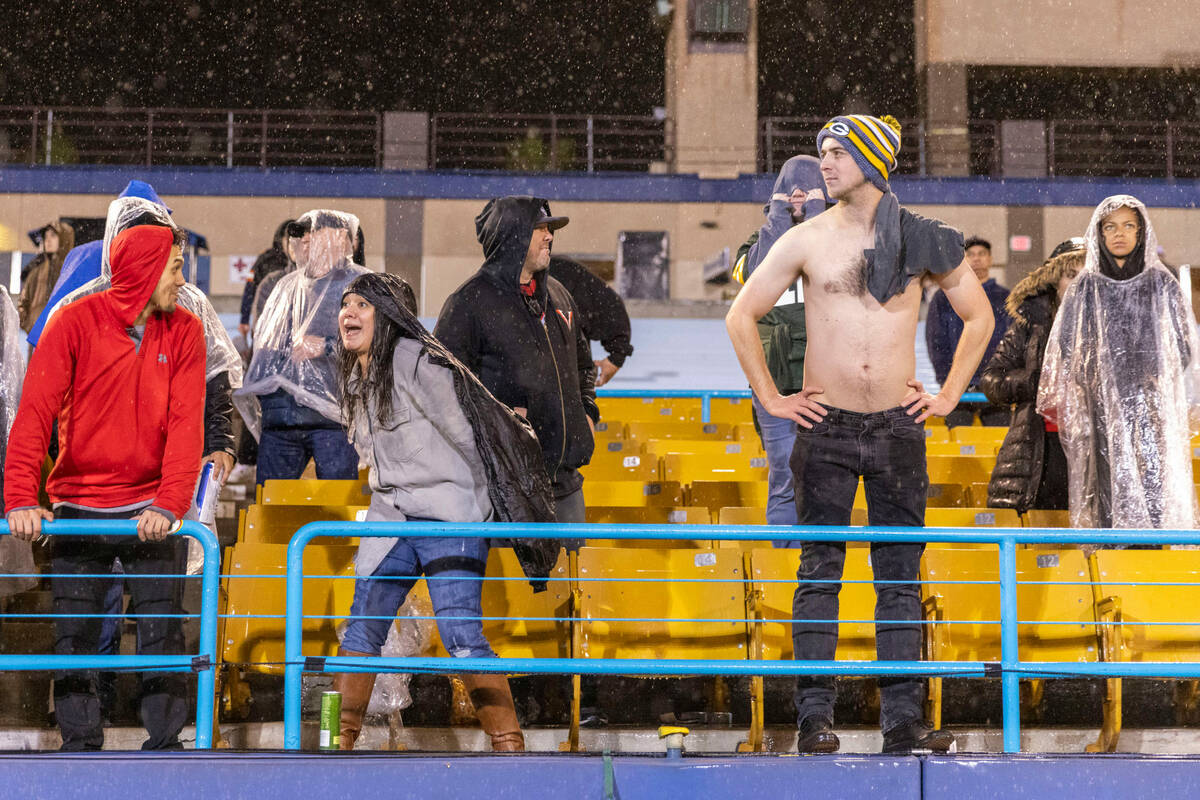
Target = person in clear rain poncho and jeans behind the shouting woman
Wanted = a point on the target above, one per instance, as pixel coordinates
(293, 374)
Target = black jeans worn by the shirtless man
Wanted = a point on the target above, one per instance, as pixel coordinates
(887, 450)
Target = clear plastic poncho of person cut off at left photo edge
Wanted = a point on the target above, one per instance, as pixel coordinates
(16, 557)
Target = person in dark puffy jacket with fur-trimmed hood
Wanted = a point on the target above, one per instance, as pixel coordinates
(1031, 467)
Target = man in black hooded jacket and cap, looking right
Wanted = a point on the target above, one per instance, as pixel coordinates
(519, 330)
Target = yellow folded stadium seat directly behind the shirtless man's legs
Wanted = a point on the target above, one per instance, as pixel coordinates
(770, 592)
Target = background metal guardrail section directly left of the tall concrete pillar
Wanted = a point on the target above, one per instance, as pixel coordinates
(548, 142)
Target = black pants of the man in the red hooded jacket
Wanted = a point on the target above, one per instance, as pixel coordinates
(164, 695)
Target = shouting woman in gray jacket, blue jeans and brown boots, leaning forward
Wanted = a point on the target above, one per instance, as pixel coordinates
(415, 419)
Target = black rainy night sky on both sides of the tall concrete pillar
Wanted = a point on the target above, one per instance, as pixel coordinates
(817, 57)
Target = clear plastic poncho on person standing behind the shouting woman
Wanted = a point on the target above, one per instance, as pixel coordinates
(297, 333)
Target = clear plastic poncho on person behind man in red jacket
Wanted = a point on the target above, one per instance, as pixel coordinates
(221, 356)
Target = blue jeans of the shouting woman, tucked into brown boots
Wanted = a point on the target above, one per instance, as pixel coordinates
(453, 568)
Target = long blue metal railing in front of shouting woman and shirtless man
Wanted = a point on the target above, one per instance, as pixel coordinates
(1011, 669)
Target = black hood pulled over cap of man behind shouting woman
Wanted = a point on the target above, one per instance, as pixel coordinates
(505, 228)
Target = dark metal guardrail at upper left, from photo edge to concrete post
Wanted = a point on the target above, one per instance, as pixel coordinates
(190, 137)
